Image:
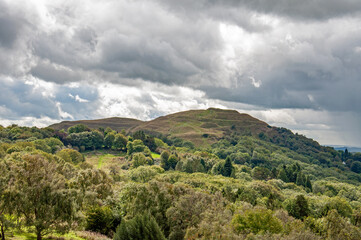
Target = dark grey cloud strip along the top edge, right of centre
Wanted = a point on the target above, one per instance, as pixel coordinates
(294, 9)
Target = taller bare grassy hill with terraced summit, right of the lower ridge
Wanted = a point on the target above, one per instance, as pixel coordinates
(204, 127)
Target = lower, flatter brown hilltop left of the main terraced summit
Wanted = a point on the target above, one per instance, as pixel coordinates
(114, 123)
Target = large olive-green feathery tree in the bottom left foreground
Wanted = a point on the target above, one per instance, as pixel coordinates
(43, 199)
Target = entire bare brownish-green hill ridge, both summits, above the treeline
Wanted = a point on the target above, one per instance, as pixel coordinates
(202, 127)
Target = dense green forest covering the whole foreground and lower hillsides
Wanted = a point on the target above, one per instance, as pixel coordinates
(83, 183)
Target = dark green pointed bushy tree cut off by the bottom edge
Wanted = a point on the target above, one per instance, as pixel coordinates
(140, 227)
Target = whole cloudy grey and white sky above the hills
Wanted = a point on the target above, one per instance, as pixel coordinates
(291, 63)
